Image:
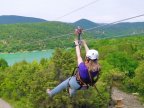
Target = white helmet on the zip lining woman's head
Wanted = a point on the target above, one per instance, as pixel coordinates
(92, 54)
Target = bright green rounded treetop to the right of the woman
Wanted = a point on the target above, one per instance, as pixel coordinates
(124, 62)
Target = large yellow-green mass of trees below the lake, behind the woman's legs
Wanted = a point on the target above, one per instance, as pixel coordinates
(27, 82)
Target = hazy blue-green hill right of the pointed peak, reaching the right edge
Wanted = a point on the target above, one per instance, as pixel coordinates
(120, 29)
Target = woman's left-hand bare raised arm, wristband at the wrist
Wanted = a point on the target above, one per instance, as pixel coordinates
(78, 53)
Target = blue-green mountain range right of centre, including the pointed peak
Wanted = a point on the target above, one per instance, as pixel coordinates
(109, 30)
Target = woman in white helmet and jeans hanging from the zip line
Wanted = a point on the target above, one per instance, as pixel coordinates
(86, 73)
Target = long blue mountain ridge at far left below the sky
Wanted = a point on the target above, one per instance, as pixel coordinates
(12, 19)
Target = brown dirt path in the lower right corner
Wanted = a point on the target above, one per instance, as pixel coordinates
(128, 100)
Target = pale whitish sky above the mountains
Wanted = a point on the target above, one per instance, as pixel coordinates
(99, 11)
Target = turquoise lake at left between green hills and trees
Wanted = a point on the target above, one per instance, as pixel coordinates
(12, 58)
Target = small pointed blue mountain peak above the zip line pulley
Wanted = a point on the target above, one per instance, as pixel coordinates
(85, 24)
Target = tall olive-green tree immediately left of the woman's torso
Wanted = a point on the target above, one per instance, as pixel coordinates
(64, 62)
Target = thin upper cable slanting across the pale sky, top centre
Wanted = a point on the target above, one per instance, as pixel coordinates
(84, 6)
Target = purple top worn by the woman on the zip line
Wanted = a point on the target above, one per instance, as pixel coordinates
(83, 72)
